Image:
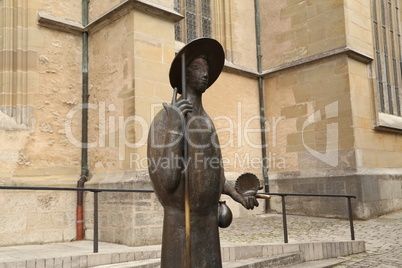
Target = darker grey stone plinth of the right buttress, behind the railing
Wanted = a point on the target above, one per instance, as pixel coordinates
(375, 195)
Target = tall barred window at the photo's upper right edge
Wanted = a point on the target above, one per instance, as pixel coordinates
(388, 61)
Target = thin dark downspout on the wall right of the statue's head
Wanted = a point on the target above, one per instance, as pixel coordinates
(261, 100)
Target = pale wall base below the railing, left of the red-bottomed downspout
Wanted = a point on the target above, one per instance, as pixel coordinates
(36, 217)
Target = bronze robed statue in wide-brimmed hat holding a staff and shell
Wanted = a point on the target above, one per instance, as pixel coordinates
(185, 162)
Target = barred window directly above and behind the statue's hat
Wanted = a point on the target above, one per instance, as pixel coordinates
(197, 22)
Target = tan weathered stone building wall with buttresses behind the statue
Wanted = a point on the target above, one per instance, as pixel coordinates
(320, 99)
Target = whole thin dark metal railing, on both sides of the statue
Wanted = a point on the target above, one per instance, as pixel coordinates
(96, 191)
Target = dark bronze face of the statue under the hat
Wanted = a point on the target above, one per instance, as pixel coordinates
(197, 75)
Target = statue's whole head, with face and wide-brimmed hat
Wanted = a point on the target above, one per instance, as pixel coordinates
(203, 54)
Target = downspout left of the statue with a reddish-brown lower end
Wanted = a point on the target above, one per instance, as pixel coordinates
(84, 147)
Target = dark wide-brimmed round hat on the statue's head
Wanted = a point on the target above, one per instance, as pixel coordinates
(210, 49)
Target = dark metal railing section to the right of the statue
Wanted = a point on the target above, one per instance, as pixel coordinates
(285, 225)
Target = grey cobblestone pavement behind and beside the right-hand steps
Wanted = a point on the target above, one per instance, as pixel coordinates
(383, 235)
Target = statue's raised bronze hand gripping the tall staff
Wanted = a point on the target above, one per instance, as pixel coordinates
(177, 110)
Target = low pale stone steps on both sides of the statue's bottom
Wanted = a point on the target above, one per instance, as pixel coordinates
(233, 255)
